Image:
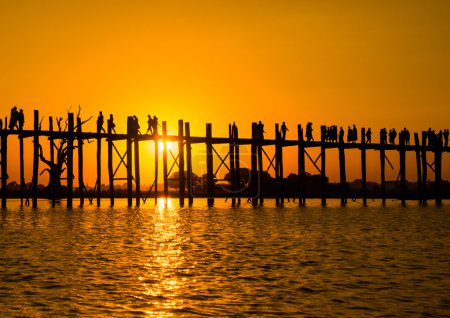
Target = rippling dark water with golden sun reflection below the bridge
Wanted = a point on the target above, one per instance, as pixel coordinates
(156, 261)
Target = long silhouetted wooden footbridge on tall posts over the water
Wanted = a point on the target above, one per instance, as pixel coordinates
(183, 160)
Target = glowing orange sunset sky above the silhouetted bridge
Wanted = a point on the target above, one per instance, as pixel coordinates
(384, 64)
